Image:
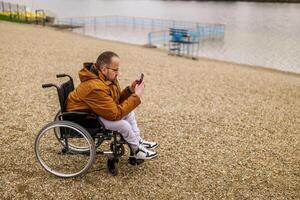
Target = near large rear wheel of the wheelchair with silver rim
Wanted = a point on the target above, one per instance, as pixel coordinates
(59, 159)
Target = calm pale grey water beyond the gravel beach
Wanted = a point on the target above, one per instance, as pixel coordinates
(264, 34)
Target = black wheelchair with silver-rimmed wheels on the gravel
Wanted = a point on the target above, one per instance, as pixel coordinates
(67, 146)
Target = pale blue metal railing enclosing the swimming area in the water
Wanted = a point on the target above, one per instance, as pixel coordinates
(158, 33)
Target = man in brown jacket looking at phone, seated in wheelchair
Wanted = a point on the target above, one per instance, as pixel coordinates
(99, 92)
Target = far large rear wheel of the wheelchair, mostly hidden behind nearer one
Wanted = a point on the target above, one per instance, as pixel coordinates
(74, 147)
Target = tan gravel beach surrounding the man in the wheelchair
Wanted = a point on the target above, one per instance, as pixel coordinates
(226, 131)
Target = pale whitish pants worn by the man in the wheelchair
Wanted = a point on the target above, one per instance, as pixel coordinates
(127, 127)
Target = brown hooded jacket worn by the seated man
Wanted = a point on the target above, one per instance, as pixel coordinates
(100, 96)
